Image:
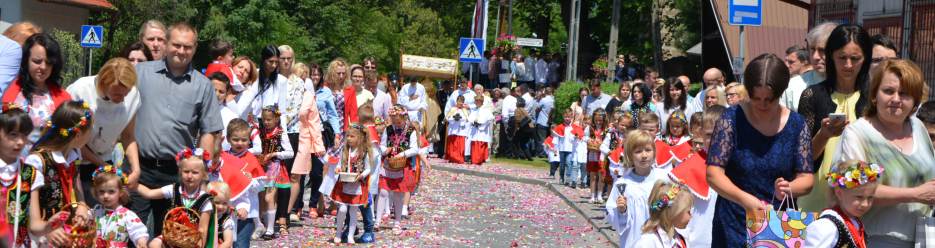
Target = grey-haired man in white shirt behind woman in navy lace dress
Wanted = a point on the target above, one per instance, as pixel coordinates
(816, 38)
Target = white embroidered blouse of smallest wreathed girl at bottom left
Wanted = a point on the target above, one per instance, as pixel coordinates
(117, 228)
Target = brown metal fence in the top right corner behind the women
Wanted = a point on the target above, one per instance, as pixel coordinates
(913, 30)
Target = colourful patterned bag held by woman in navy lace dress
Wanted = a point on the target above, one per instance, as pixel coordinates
(782, 228)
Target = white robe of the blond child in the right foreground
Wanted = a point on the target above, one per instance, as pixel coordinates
(629, 224)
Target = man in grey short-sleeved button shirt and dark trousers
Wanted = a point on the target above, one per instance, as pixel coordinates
(177, 107)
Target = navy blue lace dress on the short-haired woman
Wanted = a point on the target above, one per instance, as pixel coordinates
(753, 161)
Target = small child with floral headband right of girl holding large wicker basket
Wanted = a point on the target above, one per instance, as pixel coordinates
(221, 200)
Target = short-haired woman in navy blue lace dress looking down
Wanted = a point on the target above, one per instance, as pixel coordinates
(760, 151)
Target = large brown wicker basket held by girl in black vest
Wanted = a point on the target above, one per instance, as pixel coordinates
(179, 234)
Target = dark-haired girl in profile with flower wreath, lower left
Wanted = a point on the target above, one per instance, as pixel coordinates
(54, 156)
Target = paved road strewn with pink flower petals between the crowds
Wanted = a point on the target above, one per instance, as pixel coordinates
(457, 210)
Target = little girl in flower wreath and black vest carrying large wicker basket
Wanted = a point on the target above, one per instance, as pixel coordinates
(189, 192)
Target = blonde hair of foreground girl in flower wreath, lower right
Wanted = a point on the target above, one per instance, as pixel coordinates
(664, 217)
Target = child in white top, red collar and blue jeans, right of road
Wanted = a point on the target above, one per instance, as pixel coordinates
(568, 134)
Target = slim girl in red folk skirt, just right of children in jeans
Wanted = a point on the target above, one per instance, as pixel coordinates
(594, 136)
